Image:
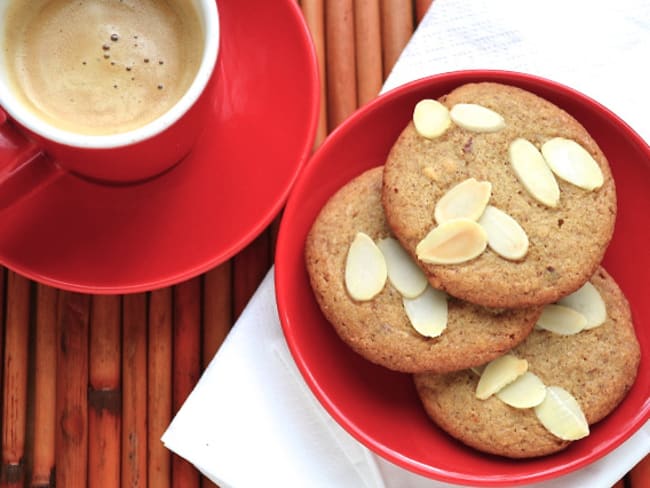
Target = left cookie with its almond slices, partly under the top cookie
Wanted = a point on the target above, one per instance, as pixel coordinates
(375, 323)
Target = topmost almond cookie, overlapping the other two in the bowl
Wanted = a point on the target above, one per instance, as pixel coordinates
(561, 242)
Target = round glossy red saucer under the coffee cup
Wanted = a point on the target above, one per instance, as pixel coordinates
(95, 238)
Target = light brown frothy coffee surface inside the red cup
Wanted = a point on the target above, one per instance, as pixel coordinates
(102, 67)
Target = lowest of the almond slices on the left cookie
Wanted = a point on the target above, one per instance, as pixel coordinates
(428, 312)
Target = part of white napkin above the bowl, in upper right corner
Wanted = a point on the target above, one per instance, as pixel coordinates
(598, 47)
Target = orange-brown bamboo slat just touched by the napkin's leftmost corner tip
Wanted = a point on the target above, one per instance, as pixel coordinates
(159, 388)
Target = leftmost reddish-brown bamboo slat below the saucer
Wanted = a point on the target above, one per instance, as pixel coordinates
(14, 419)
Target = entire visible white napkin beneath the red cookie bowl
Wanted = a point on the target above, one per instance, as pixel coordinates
(251, 420)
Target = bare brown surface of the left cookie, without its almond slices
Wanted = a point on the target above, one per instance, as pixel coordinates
(379, 329)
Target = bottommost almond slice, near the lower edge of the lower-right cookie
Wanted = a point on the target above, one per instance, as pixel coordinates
(561, 415)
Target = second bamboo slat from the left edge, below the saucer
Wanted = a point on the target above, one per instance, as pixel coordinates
(43, 454)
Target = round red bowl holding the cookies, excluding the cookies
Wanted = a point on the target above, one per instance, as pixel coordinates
(379, 407)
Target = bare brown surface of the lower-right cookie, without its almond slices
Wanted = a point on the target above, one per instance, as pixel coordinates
(597, 366)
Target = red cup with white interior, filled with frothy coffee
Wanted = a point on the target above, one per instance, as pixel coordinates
(116, 91)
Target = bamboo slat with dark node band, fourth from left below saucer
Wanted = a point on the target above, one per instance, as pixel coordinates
(104, 395)
